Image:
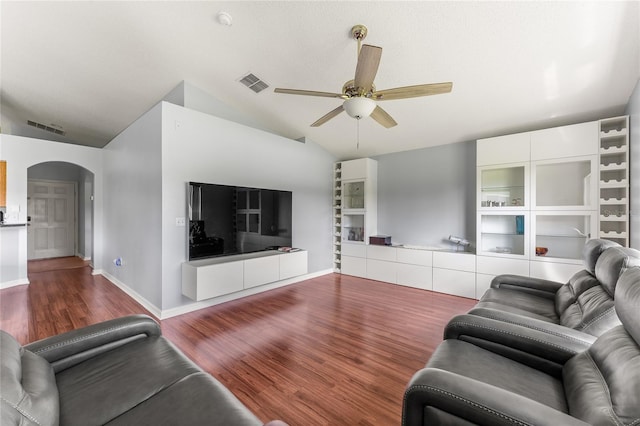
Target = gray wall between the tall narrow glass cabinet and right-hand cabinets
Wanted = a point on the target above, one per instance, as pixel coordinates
(424, 195)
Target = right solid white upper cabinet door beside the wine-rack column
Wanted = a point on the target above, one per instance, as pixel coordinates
(565, 141)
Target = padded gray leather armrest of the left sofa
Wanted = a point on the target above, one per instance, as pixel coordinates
(68, 349)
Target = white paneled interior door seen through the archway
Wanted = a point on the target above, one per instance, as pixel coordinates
(51, 207)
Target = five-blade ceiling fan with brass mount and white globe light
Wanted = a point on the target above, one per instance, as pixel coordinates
(360, 95)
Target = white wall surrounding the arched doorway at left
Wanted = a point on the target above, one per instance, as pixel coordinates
(22, 153)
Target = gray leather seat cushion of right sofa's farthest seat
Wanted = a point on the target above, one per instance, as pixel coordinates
(520, 303)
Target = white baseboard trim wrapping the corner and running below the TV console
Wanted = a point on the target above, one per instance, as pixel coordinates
(185, 309)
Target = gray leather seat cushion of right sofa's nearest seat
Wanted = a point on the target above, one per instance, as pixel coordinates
(470, 361)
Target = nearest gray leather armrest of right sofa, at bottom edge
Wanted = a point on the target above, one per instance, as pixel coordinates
(434, 394)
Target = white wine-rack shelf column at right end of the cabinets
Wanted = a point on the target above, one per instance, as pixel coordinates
(614, 179)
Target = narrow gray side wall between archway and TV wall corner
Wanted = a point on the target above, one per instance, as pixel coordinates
(133, 206)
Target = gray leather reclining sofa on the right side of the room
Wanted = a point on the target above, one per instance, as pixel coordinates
(525, 354)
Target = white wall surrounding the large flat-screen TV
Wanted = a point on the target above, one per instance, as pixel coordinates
(203, 148)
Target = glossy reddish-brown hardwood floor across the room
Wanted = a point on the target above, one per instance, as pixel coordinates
(333, 350)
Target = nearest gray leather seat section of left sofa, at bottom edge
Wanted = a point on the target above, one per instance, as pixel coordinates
(181, 404)
